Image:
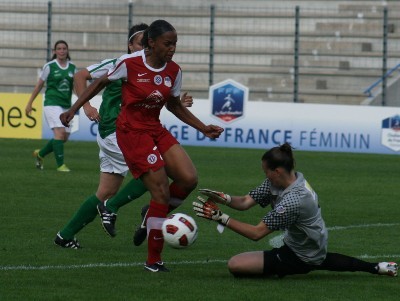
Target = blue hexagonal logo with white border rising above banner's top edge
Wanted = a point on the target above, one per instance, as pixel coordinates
(228, 100)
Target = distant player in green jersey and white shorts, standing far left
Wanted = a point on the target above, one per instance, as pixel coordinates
(58, 75)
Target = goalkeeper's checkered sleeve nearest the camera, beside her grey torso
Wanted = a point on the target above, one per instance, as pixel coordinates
(284, 214)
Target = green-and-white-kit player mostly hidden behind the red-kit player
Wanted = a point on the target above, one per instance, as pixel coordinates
(113, 168)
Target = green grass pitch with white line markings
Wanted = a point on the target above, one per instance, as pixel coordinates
(359, 196)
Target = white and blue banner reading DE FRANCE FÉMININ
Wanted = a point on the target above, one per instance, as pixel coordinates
(310, 127)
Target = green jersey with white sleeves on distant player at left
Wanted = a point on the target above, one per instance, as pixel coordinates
(59, 83)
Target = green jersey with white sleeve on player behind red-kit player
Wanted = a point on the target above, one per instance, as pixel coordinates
(112, 97)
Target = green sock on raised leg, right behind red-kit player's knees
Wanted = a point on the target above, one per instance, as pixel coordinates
(132, 190)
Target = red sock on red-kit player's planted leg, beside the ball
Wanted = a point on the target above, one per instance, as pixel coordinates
(155, 239)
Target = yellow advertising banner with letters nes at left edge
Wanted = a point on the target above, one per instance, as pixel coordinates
(14, 122)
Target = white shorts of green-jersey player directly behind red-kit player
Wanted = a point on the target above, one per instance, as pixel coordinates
(111, 158)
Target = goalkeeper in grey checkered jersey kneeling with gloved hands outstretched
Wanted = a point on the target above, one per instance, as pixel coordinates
(295, 209)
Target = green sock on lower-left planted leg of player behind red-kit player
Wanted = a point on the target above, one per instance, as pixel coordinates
(85, 214)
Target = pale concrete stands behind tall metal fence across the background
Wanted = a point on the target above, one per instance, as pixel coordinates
(341, 53)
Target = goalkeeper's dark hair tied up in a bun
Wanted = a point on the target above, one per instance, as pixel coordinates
(280, 156)
